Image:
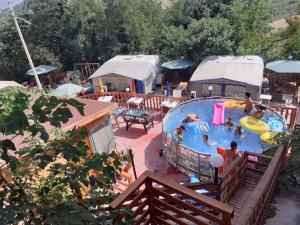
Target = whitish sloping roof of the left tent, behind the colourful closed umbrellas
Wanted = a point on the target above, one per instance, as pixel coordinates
(137, 67)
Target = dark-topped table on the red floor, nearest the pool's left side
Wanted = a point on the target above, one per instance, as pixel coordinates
(139, 116)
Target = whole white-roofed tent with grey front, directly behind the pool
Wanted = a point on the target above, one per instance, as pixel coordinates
(230, 76)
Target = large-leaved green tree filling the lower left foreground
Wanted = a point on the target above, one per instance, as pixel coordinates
(45, 177)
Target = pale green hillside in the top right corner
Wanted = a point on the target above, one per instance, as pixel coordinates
(284, 8)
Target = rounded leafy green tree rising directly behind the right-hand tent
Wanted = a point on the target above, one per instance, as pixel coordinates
(208, 37)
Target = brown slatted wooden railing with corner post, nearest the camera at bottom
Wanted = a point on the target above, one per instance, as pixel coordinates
(155, 200)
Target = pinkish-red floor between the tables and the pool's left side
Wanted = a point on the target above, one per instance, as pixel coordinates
(146, 149)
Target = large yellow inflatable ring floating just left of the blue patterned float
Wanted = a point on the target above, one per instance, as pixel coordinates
(254, 125)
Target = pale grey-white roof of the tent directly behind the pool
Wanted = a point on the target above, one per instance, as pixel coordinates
(244, 69)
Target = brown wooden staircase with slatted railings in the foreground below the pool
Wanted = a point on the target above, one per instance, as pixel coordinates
(241, 198)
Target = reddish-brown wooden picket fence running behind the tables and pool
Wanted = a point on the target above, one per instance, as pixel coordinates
(153, 102)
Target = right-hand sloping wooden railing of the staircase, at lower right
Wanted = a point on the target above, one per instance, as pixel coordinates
(253, 211)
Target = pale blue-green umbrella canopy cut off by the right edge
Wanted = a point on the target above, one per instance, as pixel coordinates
(284, 66)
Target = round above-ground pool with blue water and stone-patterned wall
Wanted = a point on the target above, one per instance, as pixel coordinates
(194, 148)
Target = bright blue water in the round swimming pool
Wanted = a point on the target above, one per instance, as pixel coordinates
(219, 136)
